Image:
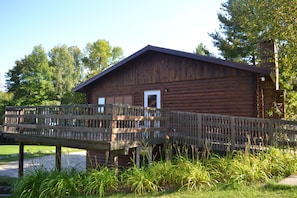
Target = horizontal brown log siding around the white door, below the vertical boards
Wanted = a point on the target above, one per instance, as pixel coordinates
(230, 96)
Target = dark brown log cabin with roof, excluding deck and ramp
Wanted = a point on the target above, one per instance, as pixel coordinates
(169, 79)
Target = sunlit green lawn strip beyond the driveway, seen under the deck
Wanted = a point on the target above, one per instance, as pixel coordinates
(10, 153)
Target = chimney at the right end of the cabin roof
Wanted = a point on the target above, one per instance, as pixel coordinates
(269, 59)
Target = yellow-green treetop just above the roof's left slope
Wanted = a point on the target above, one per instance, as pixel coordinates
(100, 55)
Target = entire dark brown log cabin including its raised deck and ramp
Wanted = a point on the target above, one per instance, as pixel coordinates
(164, 96)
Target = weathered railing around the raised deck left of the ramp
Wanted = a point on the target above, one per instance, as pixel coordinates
(105, 123)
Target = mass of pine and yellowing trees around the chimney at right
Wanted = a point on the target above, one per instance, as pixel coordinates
(245, 22)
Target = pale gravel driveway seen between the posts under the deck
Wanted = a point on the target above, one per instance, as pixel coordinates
(70, 160)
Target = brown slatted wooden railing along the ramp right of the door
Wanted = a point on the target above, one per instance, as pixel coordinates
(222, 133)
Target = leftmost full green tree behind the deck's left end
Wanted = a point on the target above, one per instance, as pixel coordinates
(30, 80)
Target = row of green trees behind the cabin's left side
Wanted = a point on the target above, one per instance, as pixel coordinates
(38, 79)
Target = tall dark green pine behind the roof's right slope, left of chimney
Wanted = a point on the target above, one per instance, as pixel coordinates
(234, 42)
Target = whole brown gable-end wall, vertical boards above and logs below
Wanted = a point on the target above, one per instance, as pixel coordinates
(185, 85)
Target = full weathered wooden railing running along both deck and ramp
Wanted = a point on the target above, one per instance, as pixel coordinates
(120, 127)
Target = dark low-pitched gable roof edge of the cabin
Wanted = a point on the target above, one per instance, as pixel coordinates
(82, 87)
